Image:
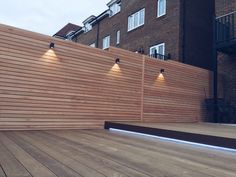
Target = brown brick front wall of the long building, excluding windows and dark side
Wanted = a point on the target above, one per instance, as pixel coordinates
(156, 30)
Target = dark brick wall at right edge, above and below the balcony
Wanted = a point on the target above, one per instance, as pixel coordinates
(226, 9)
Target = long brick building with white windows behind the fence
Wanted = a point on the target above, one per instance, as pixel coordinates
(176, 29)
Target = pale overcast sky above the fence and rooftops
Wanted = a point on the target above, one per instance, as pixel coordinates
(48, 16)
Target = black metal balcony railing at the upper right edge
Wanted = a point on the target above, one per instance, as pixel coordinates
(225, 27)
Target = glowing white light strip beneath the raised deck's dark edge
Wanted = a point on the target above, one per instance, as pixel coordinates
(175, 140)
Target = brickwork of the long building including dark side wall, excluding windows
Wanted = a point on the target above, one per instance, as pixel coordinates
(183, 30)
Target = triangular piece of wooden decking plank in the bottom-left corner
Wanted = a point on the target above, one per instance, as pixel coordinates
(11, 166)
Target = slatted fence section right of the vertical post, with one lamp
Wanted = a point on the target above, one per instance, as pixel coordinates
(178, 96)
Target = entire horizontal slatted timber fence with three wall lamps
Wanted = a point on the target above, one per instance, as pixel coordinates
(76, 86)
